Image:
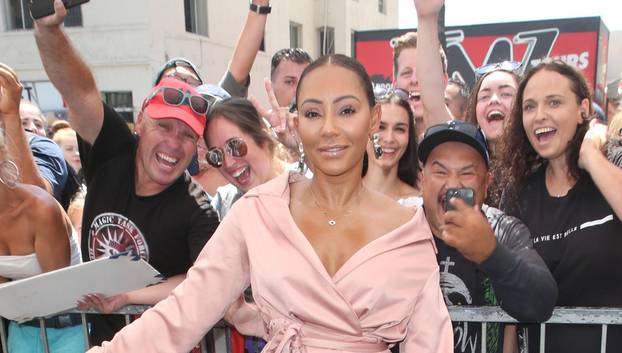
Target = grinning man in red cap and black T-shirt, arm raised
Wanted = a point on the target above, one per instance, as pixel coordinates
(140, 199)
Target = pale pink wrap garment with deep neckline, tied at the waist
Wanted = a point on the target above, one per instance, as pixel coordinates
(386, 292)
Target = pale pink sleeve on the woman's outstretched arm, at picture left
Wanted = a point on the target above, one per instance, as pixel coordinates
(176, 324)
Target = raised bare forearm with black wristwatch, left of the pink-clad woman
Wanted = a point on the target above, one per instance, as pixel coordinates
(248, 44)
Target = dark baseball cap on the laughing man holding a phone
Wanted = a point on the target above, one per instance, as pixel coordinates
(453, 131)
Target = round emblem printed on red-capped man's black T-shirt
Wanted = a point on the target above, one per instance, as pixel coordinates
(112, 233)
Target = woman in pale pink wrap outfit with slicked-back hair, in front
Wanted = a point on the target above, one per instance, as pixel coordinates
(334, 266)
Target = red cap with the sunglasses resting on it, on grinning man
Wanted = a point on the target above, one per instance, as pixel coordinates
(174, 99)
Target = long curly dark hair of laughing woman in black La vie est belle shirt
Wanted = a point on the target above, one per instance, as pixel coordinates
(519, 160)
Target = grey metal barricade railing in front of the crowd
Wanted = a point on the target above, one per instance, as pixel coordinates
(483, 315)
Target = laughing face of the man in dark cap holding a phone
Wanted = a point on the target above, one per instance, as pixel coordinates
(451, 165)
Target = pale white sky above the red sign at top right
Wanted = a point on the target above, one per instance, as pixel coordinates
(467, 12)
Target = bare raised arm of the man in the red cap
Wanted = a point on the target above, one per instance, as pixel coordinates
(69, 74)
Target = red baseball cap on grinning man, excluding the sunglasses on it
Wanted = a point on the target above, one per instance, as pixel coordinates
(160, 109)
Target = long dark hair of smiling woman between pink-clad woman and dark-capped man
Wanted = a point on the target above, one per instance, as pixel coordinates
(408, 165)
